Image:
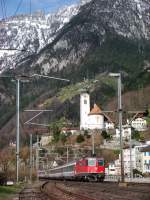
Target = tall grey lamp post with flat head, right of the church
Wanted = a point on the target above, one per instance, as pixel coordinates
(118, 76)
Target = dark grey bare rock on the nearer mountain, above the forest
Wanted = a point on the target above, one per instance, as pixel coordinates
(95, 21)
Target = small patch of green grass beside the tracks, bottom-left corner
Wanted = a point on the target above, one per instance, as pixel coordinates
(7, 192)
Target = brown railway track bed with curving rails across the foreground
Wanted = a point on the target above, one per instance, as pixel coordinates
(56, 190)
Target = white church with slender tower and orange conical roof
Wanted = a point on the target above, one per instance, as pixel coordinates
(92, 118)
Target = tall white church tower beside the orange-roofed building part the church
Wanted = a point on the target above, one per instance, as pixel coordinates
(84, 109)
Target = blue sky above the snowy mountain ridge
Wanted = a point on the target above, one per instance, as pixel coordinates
(14, 7)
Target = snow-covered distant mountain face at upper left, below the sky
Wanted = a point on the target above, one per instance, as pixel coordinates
(31, 33)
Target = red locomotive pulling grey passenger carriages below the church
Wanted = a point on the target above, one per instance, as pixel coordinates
(85, 169)
